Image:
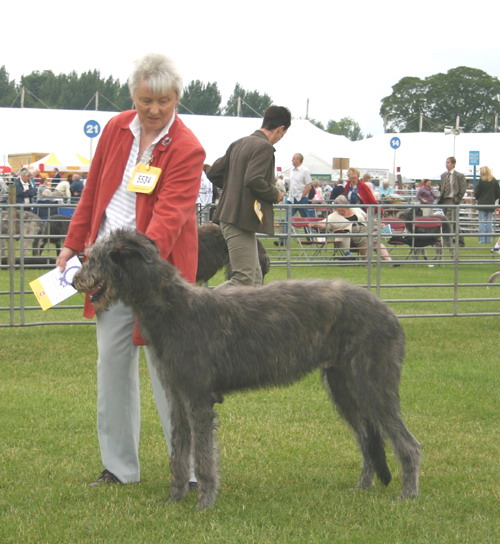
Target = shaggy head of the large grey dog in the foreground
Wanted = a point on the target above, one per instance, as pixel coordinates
(116, 267)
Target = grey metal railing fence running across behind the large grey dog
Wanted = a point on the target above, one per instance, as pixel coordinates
(29, 246)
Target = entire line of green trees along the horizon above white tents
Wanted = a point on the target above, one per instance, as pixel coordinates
(430, 104)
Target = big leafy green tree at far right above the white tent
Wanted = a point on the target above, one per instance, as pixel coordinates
(467, 93)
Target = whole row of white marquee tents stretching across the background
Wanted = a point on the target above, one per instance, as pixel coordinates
(420, 155)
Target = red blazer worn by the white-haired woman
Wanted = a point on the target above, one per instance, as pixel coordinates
(168, 215)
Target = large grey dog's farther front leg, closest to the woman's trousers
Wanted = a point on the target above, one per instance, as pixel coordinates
(181, 447)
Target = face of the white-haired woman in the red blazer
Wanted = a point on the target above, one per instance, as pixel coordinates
(154, 111)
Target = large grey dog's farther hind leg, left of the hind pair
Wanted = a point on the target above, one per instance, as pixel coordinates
(369, 439)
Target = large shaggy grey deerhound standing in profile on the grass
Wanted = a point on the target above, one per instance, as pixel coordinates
(266, 336)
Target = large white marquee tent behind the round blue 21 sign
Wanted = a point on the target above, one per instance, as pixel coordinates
(32, 130)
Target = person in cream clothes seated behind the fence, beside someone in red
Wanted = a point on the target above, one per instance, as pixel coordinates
(353, 221)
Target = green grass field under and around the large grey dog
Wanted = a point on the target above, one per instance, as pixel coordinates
(288, 462)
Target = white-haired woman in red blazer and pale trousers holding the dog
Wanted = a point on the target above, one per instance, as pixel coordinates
(146, 176)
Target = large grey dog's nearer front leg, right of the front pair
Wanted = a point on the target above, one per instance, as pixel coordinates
(202, 418)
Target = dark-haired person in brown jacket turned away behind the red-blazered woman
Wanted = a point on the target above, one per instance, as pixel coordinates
(246, 175)
